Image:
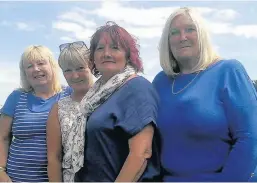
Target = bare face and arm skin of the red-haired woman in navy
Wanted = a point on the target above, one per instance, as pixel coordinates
(110, 59)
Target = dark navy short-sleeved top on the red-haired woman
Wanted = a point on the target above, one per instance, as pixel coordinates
(111, 125)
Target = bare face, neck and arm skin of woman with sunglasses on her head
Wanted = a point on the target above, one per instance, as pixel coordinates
(80, 79)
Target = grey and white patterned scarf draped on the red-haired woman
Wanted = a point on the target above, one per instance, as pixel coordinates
(96, 96)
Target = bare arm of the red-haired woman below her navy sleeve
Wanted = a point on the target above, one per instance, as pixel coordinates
(140, 149)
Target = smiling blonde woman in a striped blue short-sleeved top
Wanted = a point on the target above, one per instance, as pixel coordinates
(24, 116)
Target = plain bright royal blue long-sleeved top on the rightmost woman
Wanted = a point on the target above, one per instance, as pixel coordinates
(209, 130)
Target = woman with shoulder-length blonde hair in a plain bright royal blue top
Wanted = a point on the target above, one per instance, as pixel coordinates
(208, 109)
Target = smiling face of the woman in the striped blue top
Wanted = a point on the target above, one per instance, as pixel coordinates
(38, 72)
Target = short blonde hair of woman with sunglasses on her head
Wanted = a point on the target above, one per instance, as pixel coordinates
(74, 54)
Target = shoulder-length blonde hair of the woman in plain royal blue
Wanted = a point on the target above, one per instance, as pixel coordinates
(207, 52)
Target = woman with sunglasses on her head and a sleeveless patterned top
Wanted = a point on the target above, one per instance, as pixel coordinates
(74, 62)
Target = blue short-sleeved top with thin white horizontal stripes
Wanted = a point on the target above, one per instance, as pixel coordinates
(27, 158)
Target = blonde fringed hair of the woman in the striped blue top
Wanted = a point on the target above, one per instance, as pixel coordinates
(34, 53)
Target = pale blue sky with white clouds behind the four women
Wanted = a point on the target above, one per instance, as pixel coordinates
(233, 27)
